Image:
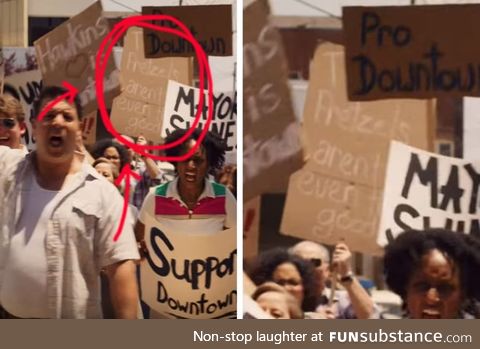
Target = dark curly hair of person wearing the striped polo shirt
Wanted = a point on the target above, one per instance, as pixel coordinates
(212, 143)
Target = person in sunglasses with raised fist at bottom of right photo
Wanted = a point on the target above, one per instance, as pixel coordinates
(353, 302)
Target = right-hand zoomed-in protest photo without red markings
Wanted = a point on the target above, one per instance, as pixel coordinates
(360, 199)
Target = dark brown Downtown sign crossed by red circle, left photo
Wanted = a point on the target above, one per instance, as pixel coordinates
(210, 25)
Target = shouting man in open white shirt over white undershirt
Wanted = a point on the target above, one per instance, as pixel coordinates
(58, 218)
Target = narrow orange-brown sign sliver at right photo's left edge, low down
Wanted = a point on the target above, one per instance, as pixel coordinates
(251, 227)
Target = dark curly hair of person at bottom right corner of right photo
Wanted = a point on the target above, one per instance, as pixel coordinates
(403, 257)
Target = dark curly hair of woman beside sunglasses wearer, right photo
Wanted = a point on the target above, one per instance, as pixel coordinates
(266, 263)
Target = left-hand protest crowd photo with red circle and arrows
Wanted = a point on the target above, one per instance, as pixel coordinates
(135, 225)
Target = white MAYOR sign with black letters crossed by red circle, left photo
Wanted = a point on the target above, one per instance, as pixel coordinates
(181, 106)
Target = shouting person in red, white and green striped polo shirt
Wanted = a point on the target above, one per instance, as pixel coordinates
(191, 203)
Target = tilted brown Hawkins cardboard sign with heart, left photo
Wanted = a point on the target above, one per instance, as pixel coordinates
(68, 52)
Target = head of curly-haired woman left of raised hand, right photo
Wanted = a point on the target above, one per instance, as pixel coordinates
(293, 273)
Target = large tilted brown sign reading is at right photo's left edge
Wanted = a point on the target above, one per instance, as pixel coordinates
(272, 148)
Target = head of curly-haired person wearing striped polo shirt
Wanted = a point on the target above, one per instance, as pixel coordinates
(208, 158)
